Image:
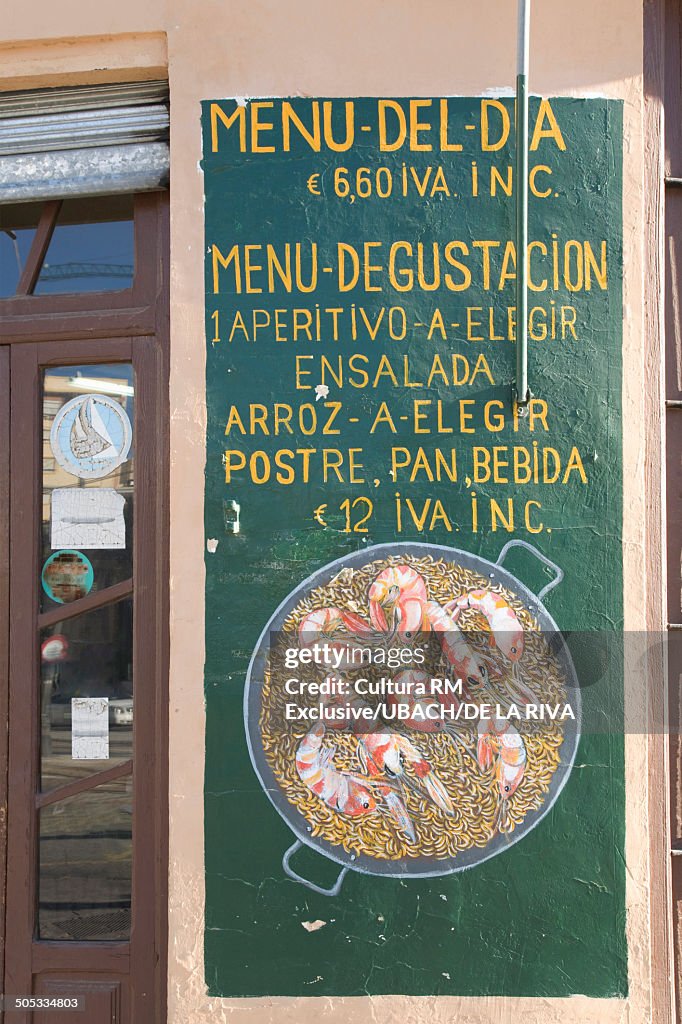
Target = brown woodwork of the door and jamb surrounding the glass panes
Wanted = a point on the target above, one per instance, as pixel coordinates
(92, 329)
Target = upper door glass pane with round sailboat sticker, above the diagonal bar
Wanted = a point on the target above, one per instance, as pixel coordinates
(89, 480)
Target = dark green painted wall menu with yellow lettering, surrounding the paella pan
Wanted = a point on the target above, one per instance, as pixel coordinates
(360, 329)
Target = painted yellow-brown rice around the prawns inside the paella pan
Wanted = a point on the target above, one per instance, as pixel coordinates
(474, 791)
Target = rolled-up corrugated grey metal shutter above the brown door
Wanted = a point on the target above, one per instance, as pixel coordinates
(86, 141)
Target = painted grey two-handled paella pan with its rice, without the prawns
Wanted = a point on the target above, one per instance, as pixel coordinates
(441, 843)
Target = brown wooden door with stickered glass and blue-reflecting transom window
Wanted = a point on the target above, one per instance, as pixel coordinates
(84, 375)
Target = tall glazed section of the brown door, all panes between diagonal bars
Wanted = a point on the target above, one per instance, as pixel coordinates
(87, 697)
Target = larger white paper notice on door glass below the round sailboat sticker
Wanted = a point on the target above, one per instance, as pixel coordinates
(88, 518)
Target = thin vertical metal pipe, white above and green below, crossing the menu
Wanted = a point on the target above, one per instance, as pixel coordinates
(523, 393)
